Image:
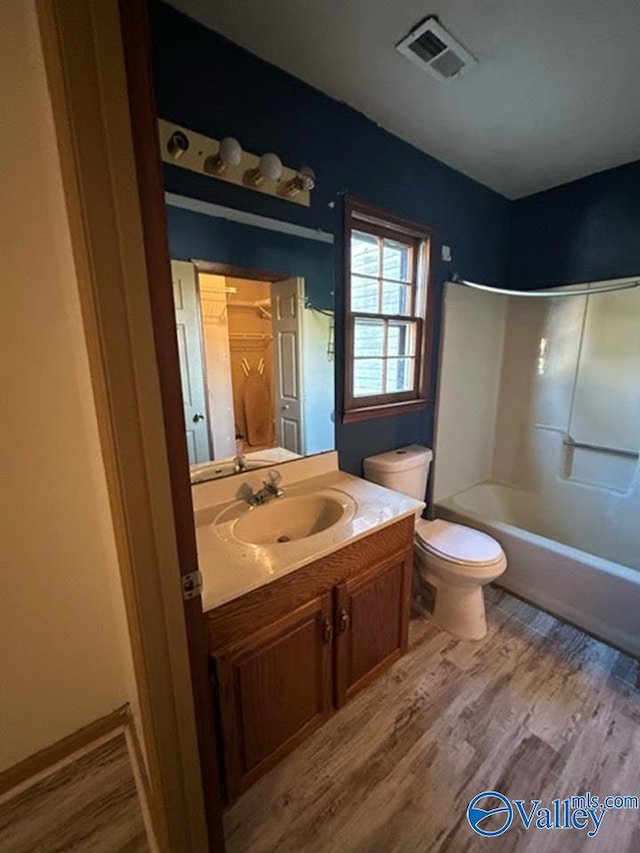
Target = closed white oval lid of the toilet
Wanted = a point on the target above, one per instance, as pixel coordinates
(456, 543)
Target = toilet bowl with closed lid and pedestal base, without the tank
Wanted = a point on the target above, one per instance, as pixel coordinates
(457, 561)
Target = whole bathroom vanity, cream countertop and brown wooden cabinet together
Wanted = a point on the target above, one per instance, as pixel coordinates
(304, 624)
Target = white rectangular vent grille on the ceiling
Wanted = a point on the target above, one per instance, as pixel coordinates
(435, 50)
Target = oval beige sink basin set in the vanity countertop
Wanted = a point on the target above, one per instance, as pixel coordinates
(286, 519)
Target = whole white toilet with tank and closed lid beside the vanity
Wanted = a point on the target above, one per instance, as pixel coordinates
(458, 561)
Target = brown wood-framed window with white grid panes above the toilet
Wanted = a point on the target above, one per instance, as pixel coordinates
(388, 313)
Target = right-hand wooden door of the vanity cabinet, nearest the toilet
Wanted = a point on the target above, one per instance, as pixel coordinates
(372, 623)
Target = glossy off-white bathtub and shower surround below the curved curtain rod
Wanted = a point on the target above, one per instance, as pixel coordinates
(537, 440)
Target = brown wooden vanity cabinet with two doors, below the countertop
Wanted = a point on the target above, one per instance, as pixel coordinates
(288, 654)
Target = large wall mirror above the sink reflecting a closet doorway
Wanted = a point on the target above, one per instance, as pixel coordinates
(254, 322)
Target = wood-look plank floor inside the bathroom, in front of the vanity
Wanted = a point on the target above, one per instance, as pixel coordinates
(535, 710)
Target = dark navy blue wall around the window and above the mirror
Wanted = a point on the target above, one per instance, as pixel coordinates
(206, 83)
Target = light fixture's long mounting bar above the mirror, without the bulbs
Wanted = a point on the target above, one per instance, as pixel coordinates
(199, 147)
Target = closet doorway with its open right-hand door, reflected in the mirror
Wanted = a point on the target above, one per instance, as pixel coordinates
(253, 353)
